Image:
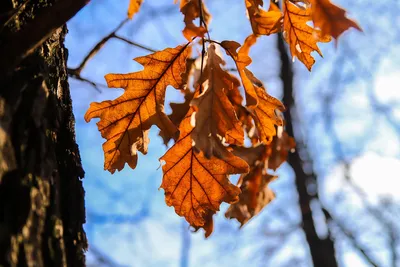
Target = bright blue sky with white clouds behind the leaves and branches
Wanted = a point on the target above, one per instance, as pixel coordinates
(127, 218)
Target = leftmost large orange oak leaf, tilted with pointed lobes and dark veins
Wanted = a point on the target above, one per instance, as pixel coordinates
(125, 121)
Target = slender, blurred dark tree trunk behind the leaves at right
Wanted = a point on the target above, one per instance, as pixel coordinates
(322, 249)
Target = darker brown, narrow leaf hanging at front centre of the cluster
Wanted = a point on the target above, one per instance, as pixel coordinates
(215, 117)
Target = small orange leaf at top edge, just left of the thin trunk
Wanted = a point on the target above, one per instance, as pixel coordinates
(264, 22)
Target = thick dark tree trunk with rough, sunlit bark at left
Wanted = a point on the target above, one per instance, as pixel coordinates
(41, 195)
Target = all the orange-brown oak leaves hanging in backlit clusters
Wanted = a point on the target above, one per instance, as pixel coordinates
(220, 113)
